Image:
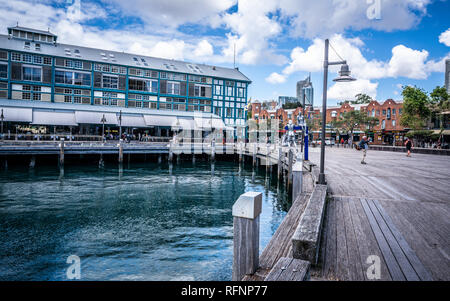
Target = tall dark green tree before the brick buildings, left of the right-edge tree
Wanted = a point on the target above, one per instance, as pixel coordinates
(416, 108)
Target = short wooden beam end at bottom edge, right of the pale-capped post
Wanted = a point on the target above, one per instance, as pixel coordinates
(289, 269)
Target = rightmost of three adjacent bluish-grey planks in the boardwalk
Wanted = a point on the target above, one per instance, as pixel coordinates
(420, 269)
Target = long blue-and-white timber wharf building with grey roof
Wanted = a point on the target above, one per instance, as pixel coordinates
(35, 68)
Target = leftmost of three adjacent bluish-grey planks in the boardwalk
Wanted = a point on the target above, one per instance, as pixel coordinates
(392, 265)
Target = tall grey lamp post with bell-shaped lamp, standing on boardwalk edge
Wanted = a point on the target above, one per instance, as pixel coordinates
(344, 76)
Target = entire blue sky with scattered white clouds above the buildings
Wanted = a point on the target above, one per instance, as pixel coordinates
(388, 43)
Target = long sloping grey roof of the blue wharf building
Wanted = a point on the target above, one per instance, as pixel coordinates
(122, 58)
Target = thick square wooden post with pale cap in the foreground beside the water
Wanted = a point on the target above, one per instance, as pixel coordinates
(246, 213)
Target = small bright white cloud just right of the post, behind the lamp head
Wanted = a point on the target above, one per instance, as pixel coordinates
(347, 91)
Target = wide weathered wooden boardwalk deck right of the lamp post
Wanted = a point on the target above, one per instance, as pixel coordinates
(395, 207)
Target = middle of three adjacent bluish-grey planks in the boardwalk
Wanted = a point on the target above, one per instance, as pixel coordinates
(408, 271)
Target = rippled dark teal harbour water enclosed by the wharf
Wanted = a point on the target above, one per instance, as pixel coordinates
(148, 221)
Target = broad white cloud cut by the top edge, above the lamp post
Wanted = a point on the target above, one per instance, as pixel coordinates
(326, 17)
